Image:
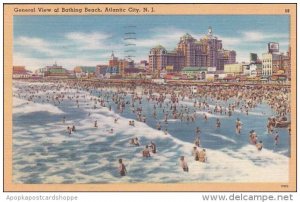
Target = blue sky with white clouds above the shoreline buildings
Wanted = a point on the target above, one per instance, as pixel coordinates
(89, 40)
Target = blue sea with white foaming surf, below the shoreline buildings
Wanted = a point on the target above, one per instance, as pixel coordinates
(44, 152)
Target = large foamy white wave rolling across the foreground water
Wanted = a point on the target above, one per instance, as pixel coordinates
(90, 154)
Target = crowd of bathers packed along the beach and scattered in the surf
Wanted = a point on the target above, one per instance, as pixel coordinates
(167, 102)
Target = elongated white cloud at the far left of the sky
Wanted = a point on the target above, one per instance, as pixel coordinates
(37, 44)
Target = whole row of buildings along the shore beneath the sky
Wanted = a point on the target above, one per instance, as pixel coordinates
(204, 60)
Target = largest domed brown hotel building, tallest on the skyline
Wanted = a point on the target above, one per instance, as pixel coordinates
(206, 52)
